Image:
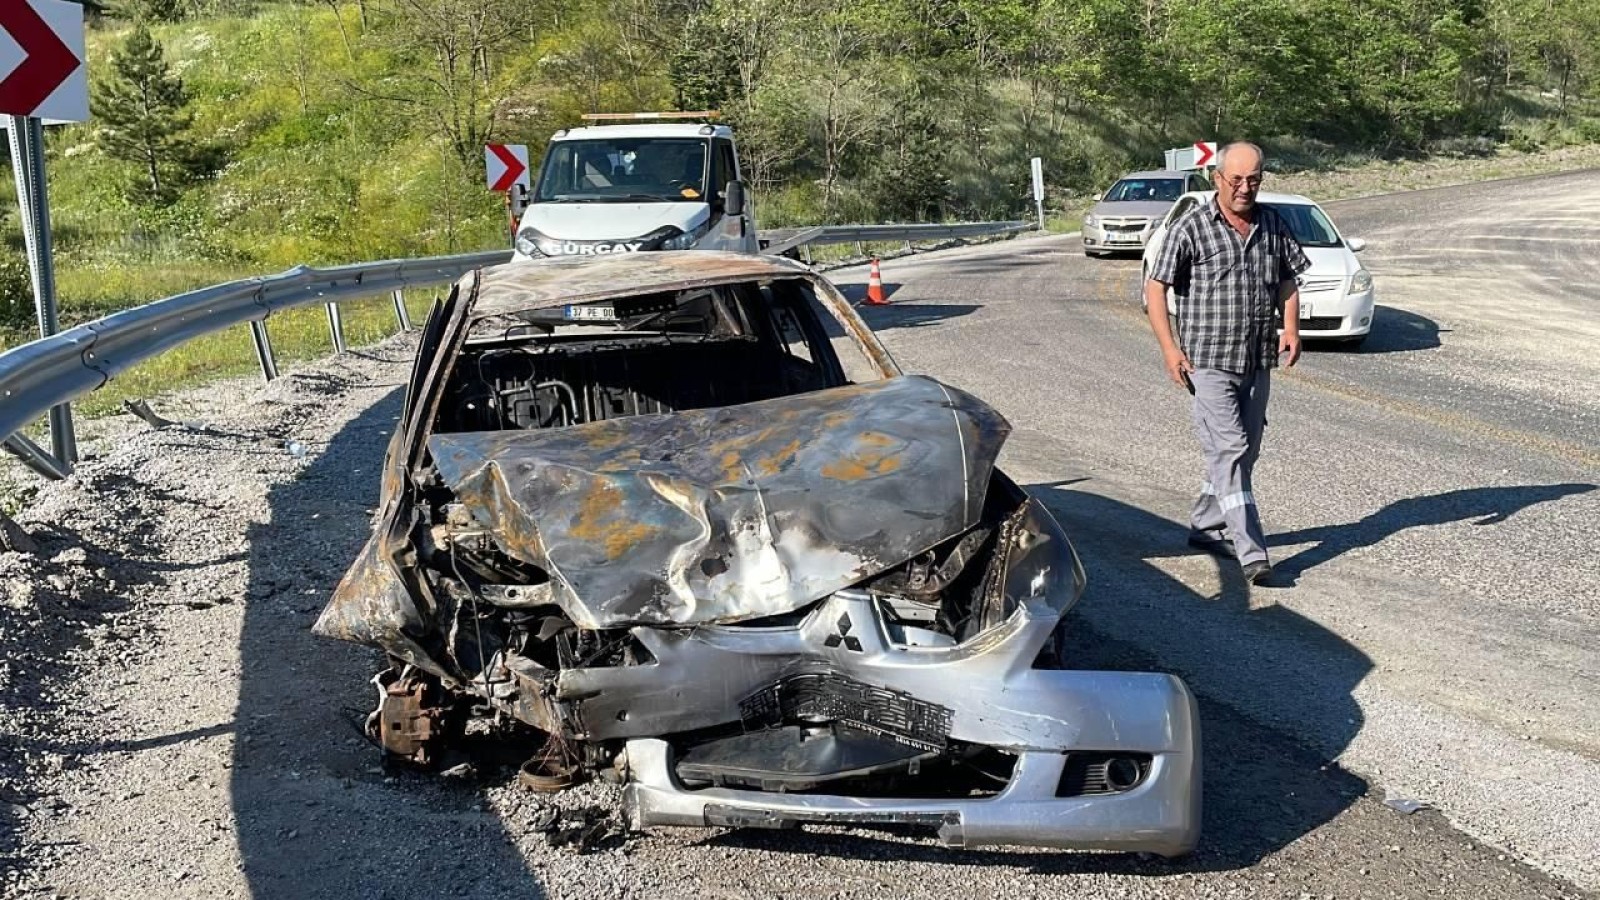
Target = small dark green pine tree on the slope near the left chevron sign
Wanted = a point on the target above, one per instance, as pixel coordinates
(142, 113)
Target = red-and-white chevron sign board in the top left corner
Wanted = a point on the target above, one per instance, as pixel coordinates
(42, 71)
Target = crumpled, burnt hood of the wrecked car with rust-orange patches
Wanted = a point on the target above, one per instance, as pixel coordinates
(737, 513)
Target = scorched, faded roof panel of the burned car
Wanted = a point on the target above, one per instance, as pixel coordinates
(513, 287)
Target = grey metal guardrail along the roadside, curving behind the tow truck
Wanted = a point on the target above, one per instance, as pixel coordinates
(50, 372)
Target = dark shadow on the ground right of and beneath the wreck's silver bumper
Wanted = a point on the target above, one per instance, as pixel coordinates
(1263, 789)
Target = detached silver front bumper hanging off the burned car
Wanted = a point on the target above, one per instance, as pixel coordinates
(1153, 715)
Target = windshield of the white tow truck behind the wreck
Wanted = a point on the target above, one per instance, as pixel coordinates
(625, 171)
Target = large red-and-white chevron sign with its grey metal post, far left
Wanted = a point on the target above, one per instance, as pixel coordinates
(42, 78)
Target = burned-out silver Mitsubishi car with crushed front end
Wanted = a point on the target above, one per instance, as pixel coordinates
(639, 510)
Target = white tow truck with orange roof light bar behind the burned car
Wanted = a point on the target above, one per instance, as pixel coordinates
(639, 187)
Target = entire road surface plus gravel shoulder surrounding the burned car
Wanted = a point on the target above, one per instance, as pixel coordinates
(169, 725)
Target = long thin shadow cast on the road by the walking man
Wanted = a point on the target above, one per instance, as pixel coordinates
(1484, 505)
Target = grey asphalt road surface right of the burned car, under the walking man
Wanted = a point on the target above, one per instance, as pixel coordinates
(1430, 500)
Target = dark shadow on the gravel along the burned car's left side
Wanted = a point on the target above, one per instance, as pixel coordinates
(302, 704)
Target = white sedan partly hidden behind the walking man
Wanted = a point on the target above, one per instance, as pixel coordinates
(1337, 292)
